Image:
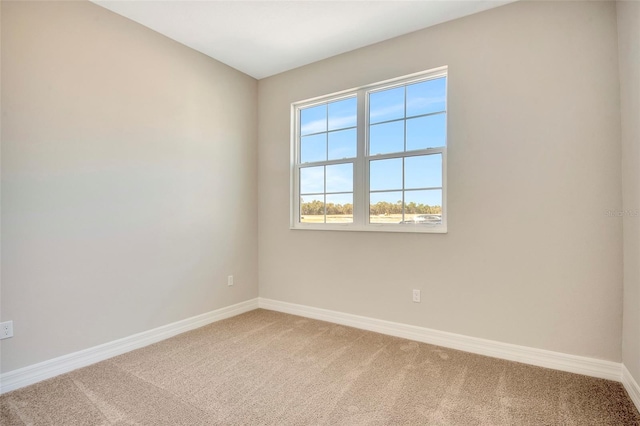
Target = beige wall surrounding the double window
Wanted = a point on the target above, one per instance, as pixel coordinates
(531, 257)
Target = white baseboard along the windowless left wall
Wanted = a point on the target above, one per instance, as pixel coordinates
(44, 370)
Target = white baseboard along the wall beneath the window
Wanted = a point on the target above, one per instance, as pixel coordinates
(540, 357)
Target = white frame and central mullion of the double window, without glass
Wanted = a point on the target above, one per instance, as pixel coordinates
(361, 161)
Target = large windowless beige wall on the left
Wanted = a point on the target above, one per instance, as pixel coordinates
(128, 180)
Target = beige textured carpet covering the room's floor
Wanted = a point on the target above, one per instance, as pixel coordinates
(268, 368)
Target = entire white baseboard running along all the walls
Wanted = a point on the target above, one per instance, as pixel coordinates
(559, 361)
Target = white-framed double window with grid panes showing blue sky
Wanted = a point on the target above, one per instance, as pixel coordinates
(372, 159)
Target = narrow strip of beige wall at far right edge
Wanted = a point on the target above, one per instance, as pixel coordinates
(629, 54)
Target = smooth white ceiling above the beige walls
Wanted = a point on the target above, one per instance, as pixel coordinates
(263, 38)
